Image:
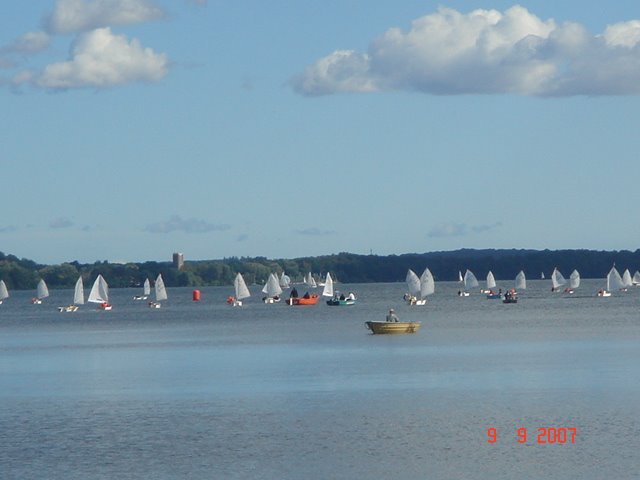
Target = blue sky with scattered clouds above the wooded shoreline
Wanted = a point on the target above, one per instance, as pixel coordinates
(132, 129)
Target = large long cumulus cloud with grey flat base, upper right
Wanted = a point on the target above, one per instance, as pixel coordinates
(485, 52)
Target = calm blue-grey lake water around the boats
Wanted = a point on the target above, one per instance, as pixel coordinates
(207, 391)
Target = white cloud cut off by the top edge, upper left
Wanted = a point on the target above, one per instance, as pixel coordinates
(82, 15)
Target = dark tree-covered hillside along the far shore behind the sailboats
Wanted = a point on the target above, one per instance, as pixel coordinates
(346, 267)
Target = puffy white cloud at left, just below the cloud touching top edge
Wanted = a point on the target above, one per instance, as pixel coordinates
(101, 59)
